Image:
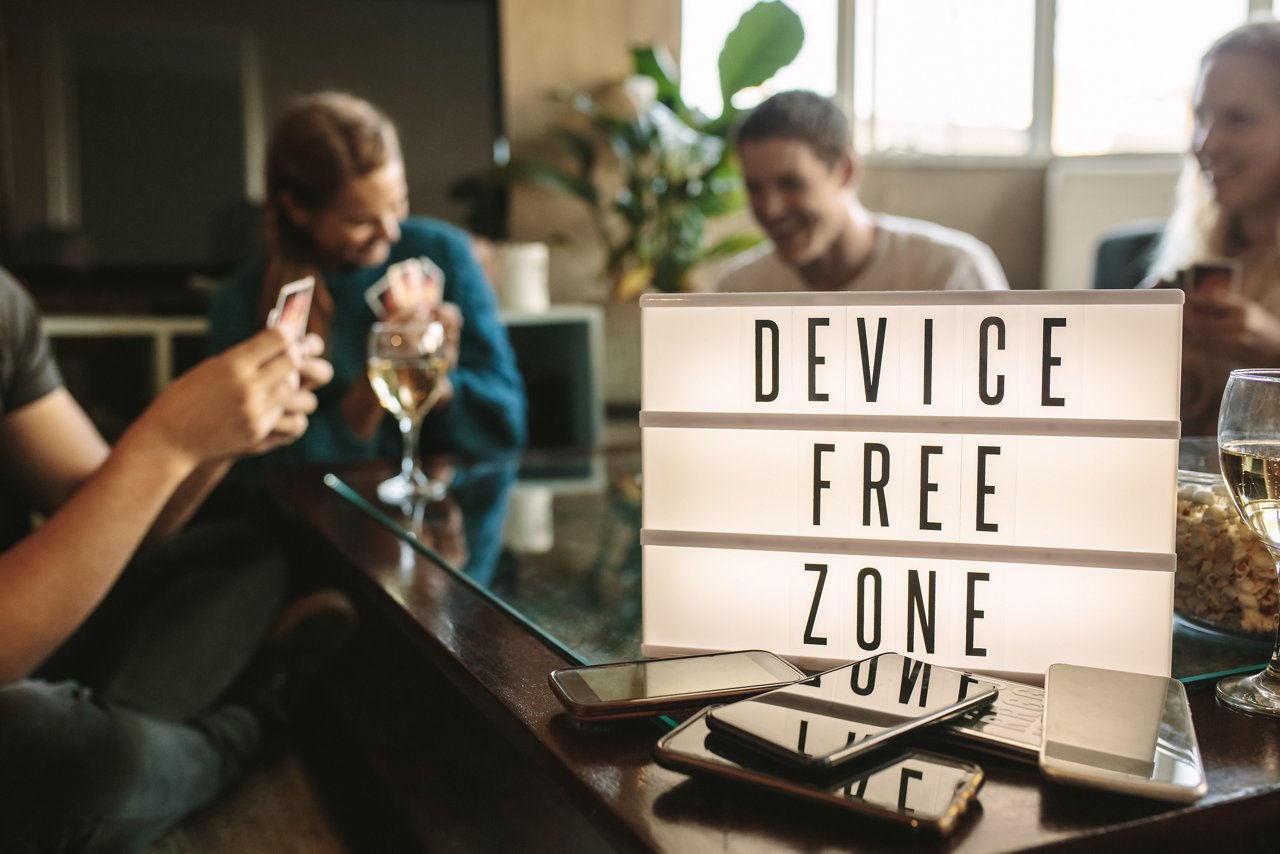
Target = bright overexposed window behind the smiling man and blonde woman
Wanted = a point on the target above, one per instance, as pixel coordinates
(989, 77)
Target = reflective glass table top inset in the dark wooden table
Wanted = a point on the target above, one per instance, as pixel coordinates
(555, 541)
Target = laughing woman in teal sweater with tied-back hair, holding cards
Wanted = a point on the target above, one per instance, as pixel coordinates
(337, 209)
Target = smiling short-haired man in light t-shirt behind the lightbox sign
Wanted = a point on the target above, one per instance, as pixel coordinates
(802, 176)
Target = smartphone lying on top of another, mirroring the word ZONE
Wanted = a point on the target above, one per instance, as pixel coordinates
(828, 720)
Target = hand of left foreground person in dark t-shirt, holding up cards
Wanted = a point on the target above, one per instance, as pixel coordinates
(246, 400)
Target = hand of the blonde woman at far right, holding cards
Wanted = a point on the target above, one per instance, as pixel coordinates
(1235, 327)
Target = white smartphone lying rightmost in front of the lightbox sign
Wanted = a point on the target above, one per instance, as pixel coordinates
(1122, 732)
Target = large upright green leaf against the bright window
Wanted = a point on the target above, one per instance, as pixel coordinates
(767, 38)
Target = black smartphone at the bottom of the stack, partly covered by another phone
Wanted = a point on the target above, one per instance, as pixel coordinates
(922, 791)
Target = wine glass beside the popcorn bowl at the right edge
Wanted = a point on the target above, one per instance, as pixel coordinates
(1249, 442)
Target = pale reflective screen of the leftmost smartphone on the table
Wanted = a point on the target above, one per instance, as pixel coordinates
(676, 677)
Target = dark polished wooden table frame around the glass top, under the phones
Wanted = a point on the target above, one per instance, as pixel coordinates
(607, 771)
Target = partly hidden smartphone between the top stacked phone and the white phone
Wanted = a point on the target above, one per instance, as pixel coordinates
(1011, 728)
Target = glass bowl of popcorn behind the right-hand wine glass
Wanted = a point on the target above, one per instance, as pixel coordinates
(1227, 579)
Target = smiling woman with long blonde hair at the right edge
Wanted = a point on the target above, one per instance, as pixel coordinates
(1229, 208)
